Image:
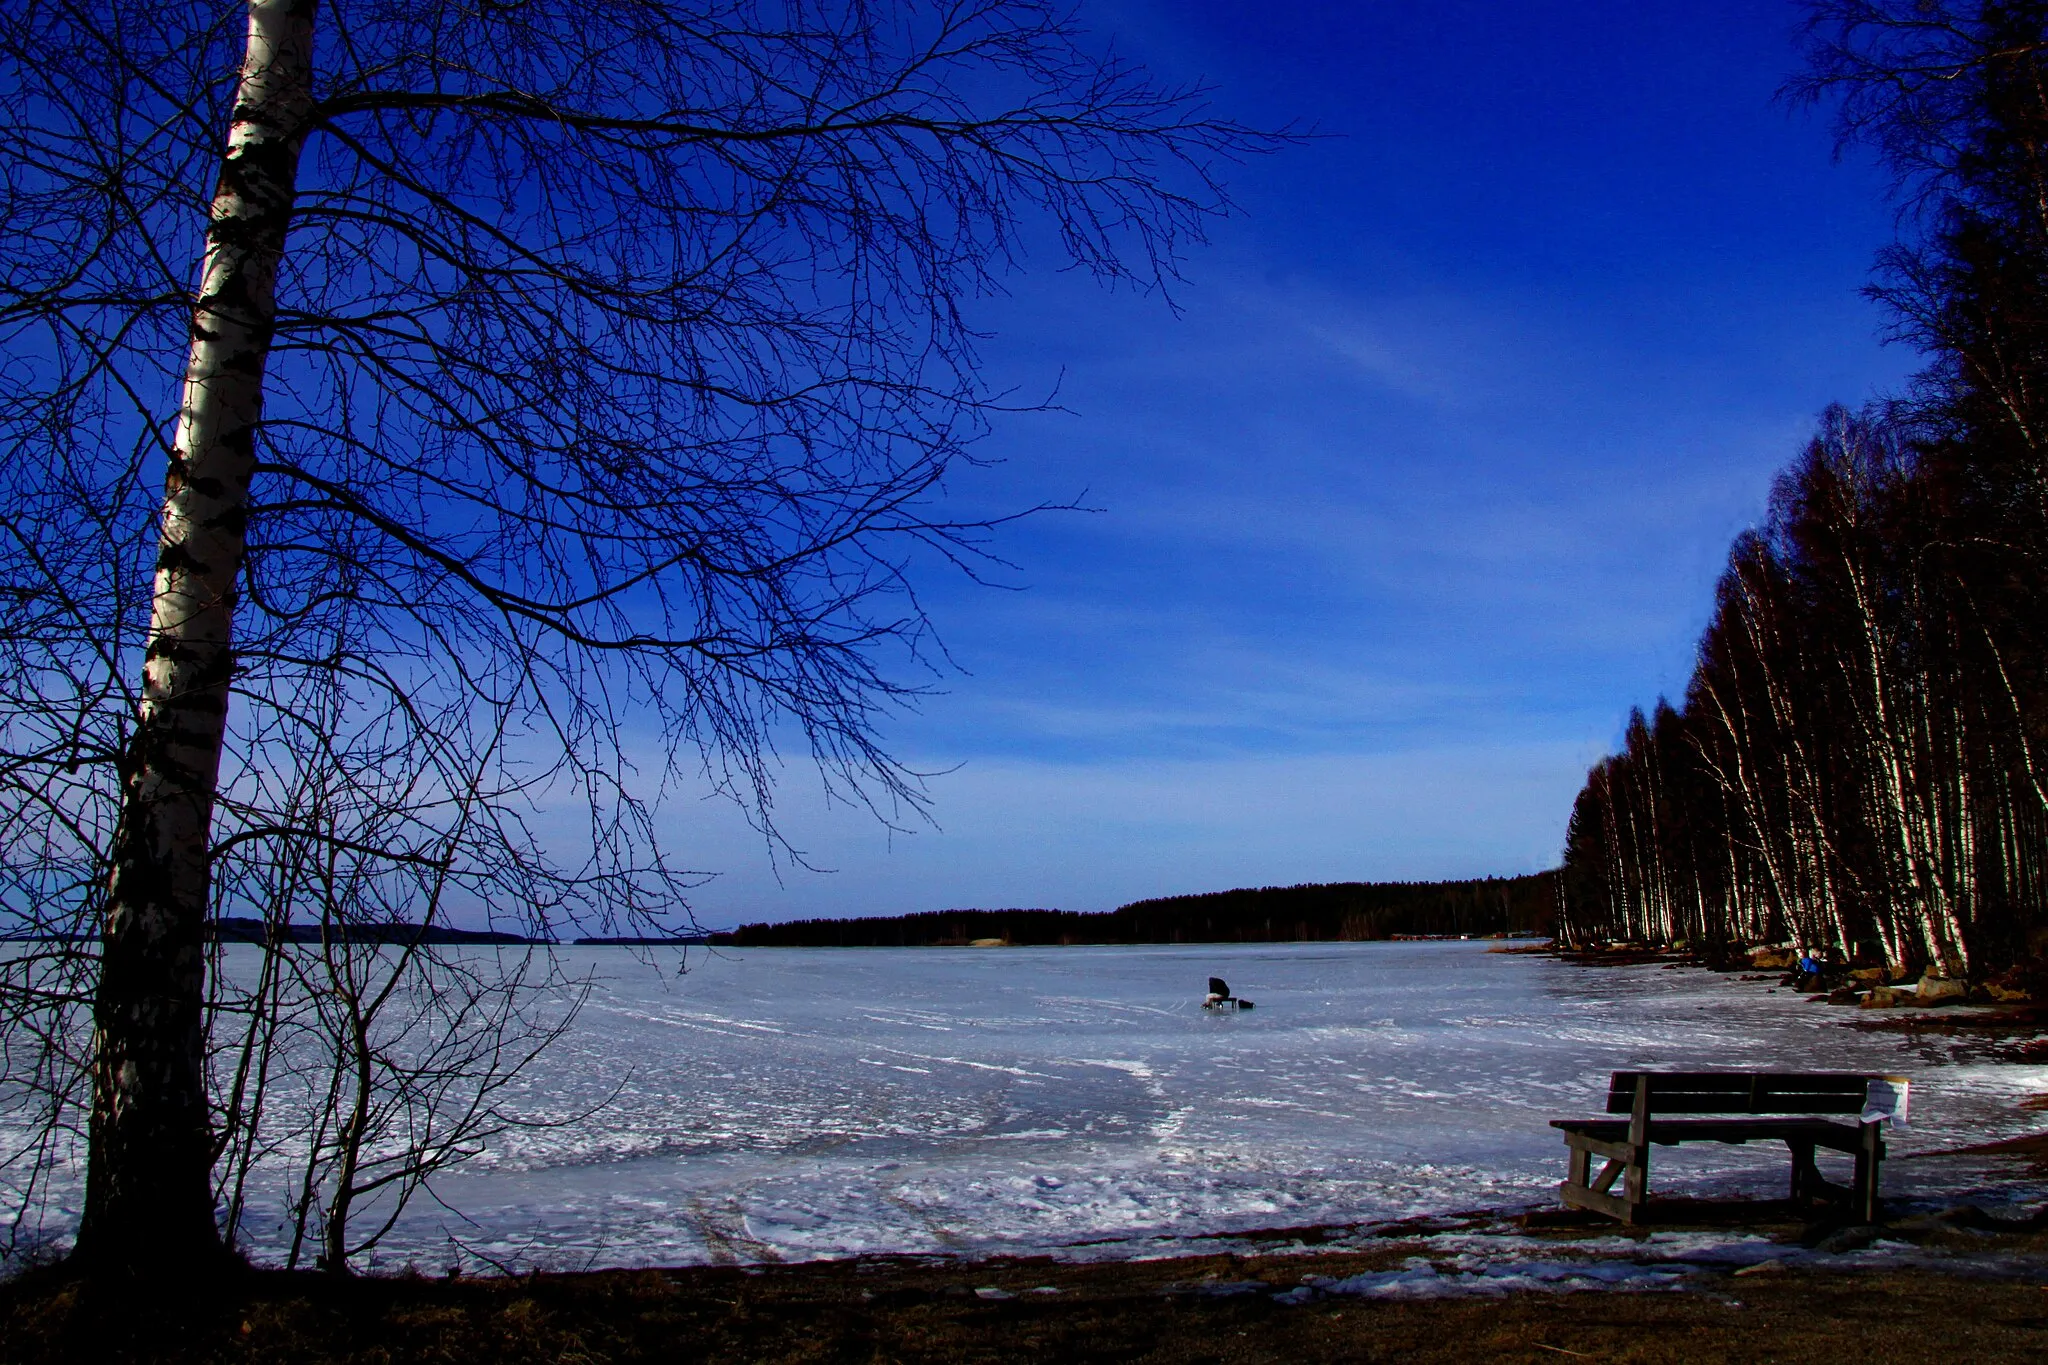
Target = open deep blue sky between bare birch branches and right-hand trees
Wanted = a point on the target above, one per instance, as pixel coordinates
(1426, 484)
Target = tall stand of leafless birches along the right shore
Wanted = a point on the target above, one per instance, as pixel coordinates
(1861, 764)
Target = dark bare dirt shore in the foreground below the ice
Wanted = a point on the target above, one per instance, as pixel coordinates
(1975, 1290)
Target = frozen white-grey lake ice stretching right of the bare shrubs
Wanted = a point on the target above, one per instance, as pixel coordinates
(796, 1104)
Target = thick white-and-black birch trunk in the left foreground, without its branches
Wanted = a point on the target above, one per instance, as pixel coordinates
(148, 1192)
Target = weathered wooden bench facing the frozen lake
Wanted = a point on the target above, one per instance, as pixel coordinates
(1789, 1100)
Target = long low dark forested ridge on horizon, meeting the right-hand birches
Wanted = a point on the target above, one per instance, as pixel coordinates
(1267, 916)
